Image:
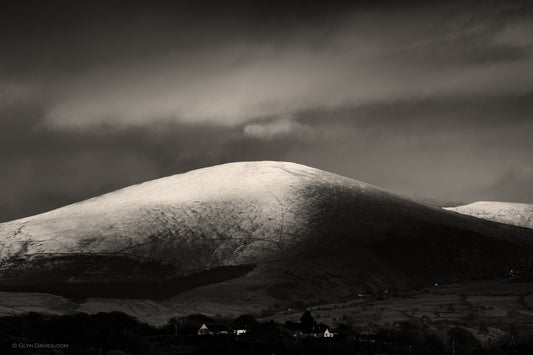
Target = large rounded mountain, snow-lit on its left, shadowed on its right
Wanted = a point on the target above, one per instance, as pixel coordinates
(250, 234)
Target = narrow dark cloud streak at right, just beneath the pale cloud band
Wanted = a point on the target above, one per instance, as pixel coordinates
(437, 113)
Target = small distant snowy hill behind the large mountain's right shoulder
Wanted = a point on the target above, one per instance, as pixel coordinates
(516, 214)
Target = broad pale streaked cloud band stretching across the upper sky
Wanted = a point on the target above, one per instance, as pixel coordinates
(355, 58)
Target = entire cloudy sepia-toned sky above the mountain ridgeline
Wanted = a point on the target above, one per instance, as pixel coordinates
(432, 100)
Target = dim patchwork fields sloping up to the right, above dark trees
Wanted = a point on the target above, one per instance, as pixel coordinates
(488, 308)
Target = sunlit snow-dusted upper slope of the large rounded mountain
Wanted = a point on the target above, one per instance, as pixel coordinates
(224, 215)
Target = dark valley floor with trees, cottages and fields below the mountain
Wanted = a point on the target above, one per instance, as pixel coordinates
(483, 316)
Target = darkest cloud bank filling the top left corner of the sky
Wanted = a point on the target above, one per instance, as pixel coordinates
(72, 36)
